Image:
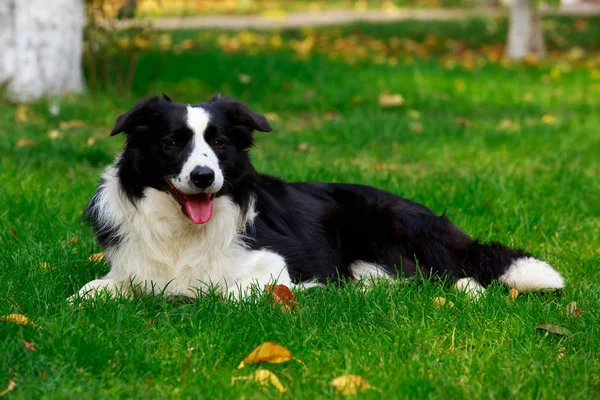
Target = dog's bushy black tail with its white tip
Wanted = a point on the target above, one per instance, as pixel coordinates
(495, 262)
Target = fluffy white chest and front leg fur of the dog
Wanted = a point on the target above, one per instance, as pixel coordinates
(162, 250)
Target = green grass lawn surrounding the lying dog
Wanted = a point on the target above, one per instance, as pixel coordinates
(510, 152)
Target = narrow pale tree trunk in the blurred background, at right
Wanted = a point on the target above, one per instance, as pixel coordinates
(525, 30)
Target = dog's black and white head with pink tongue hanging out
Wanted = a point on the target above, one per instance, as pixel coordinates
(189, 150)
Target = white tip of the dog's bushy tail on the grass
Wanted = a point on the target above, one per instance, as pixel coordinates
(527, 274)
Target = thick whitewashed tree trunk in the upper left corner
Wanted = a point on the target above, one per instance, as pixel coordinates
(41, 45)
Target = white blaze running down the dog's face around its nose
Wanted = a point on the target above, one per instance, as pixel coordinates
(201, 155)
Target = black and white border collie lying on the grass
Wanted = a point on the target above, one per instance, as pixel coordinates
(183, 210)
